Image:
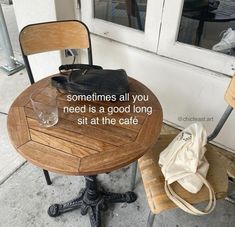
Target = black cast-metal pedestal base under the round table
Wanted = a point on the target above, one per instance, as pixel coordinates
(91, 201)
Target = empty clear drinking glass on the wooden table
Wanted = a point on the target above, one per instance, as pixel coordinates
(44, 105)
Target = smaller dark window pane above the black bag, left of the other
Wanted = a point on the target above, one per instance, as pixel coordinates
(130, 13)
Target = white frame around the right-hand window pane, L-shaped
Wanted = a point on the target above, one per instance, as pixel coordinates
(170, 47)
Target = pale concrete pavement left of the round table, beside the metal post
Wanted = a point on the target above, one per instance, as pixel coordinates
(10, 88)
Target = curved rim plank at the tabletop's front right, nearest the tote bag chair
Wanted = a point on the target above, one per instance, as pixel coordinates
(109, 161)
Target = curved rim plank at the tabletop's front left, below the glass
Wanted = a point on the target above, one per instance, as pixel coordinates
(49, 158)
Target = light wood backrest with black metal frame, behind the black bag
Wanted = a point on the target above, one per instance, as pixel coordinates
(51, 36)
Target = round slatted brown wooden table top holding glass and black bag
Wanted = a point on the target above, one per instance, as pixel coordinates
(73, 149)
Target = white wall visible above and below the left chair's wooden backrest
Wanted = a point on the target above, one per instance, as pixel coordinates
(36, 11)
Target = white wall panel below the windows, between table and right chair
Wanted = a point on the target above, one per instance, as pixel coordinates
(183, 90)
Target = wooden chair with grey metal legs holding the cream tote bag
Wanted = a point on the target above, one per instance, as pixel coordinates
(153, 178)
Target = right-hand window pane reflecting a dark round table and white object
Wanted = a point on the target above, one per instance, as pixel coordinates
(209, 24)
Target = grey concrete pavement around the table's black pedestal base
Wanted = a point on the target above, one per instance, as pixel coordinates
(25, 198)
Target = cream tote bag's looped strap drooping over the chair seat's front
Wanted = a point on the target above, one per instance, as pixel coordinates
(187, 207)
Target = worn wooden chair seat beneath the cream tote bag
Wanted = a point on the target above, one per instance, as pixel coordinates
(153, 178)
